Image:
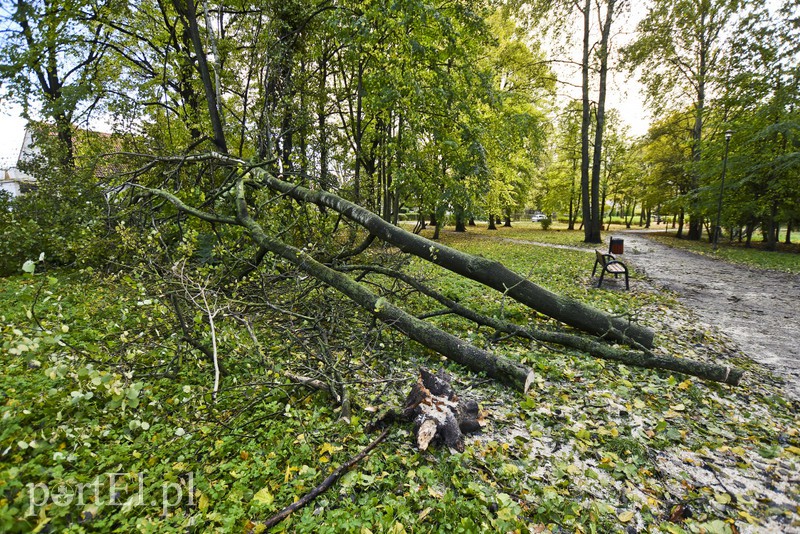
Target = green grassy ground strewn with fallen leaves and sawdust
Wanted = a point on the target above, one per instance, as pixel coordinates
(110, 421)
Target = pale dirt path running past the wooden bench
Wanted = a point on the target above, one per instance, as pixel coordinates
(758, 309)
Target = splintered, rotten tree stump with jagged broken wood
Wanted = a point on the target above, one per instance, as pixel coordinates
(438, 413)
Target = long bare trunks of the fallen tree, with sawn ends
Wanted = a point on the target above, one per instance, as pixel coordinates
(505, 371)
